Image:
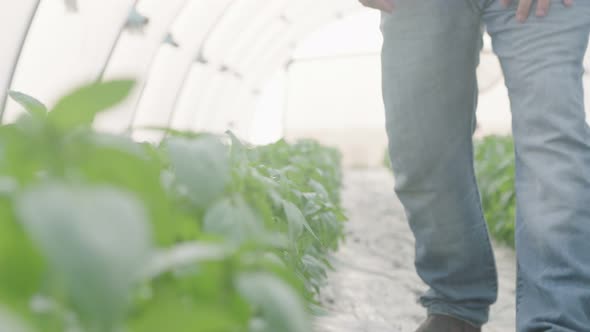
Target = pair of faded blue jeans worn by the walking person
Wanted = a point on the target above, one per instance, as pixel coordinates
(430, 55)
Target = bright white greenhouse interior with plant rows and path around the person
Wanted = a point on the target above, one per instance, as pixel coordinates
(217, 166)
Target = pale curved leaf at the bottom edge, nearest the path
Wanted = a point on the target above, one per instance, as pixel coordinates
(281, 307)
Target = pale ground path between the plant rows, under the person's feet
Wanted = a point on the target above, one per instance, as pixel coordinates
(374, 287)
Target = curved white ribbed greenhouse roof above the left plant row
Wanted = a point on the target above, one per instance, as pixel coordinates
(172, 48)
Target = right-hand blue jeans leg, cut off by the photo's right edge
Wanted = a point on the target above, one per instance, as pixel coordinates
(542, 63)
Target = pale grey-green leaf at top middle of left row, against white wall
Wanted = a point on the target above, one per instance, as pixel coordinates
(201, 166)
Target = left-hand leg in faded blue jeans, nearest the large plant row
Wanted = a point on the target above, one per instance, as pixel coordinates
(430, 55)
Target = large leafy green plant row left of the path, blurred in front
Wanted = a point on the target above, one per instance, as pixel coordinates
(201, 232)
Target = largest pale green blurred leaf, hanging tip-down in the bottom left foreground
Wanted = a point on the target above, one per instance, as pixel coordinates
(95, 239)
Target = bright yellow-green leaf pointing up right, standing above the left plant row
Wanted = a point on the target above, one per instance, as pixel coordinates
(80, 107)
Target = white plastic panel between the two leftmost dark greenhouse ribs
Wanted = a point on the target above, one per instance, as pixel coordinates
(66, 47)
